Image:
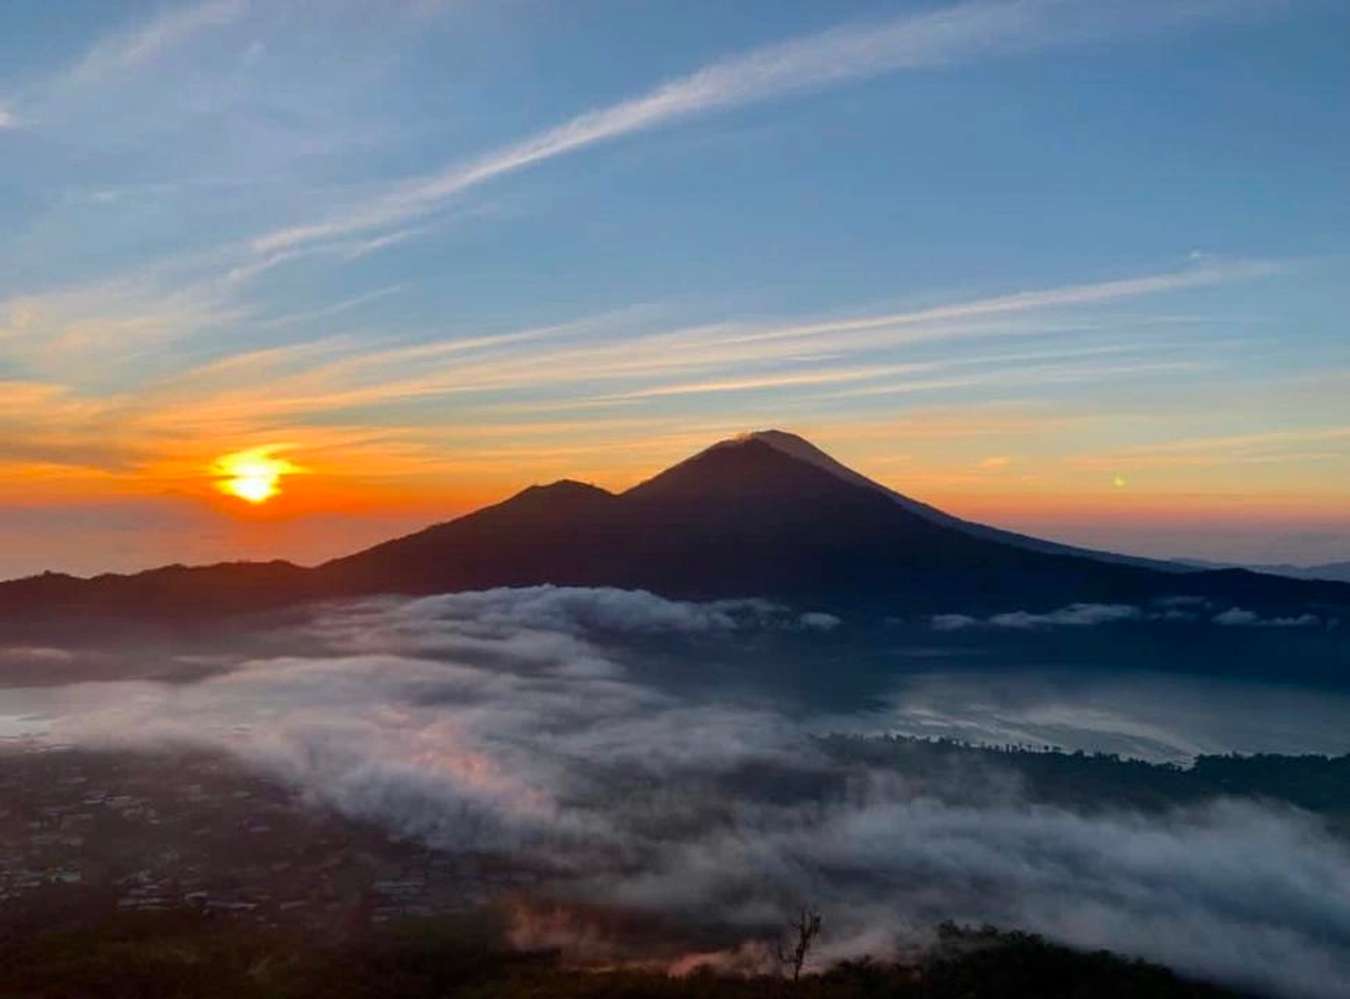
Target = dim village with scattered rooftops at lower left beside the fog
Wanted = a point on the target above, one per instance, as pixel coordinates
(86, 834)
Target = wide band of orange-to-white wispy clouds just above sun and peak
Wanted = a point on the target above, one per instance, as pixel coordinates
(345, 392)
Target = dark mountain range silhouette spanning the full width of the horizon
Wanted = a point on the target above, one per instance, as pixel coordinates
(765, 515)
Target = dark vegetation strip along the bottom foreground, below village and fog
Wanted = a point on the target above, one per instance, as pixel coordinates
(188, 956)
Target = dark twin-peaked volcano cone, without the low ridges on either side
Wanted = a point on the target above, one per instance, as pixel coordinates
(740, 519)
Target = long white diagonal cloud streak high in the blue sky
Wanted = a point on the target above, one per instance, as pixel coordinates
(912, 43)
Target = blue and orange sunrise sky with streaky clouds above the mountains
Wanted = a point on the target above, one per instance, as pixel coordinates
(1074, 268)
